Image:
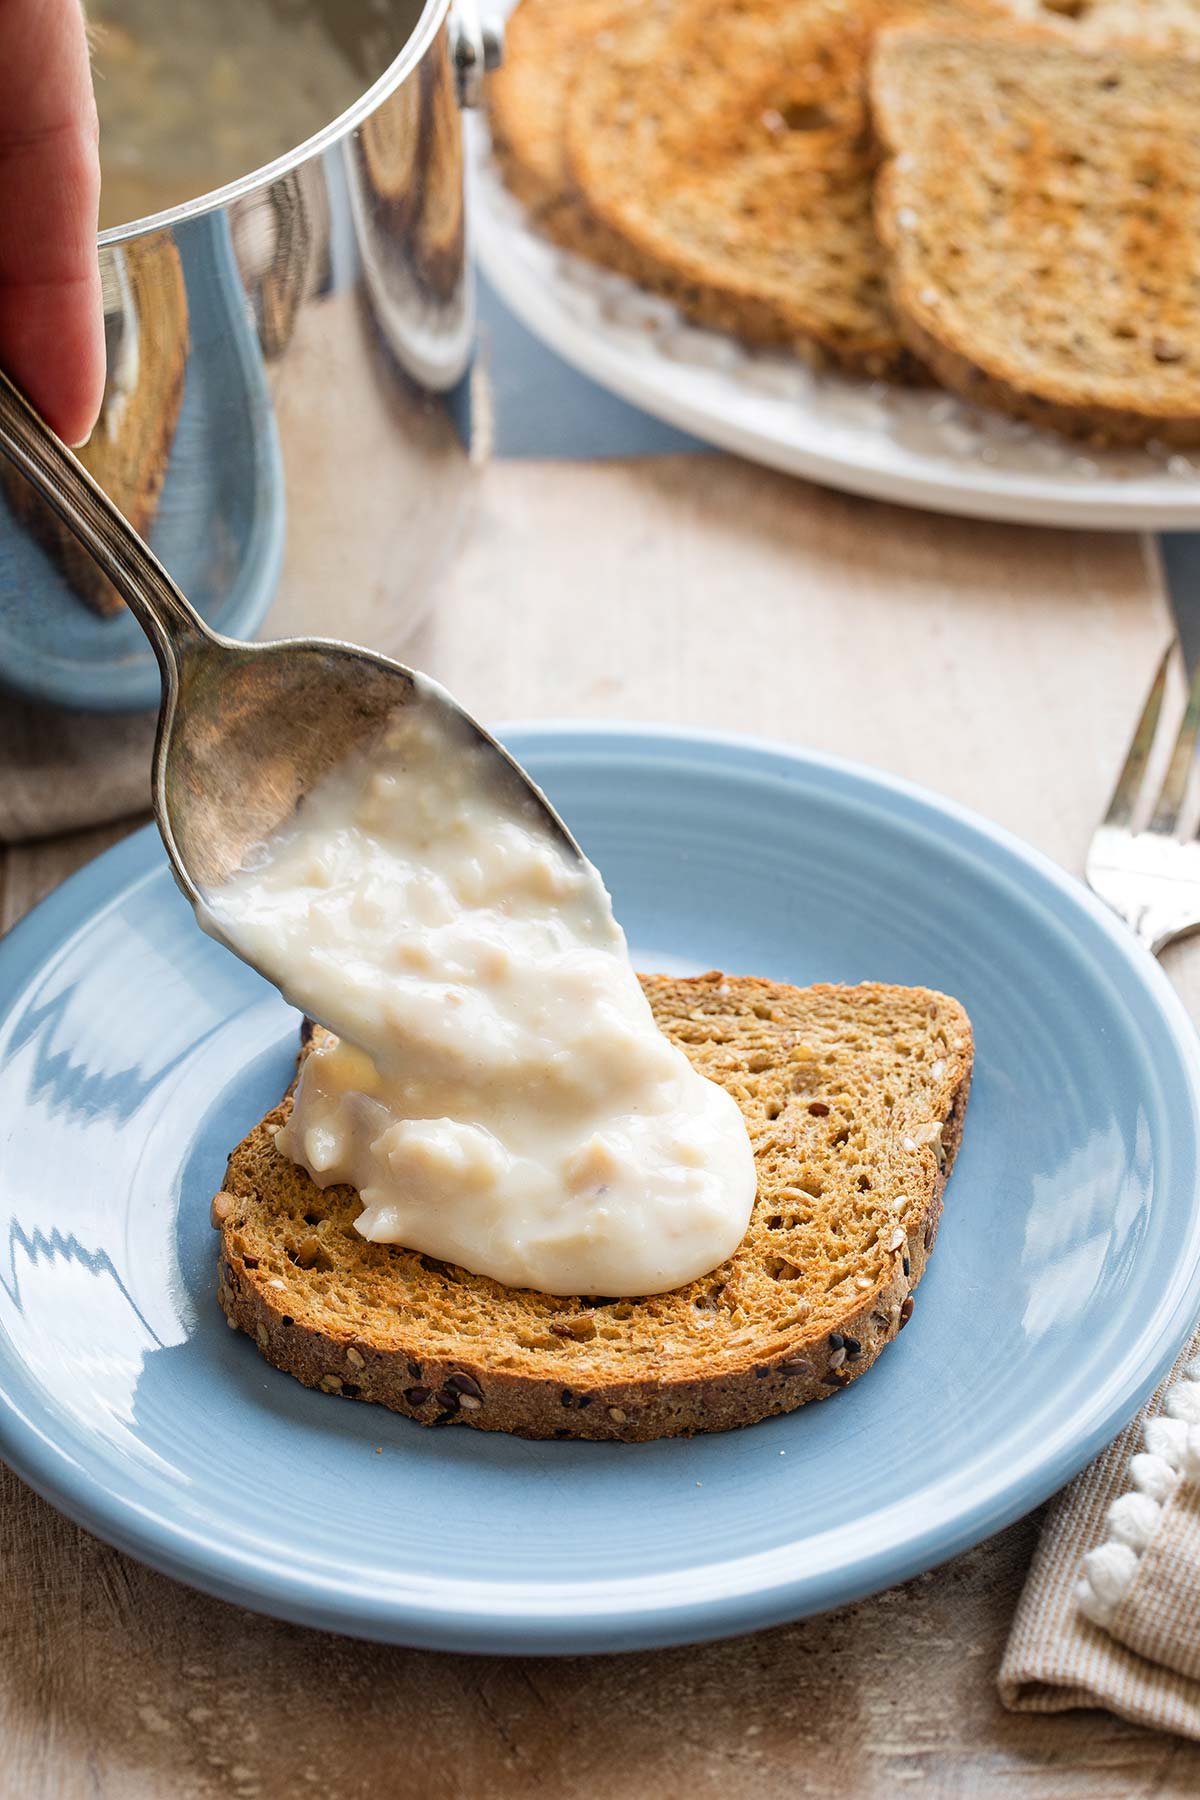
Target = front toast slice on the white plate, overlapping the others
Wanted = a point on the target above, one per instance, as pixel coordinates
(1041, 213)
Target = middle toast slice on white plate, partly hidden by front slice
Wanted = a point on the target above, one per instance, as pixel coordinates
(730, 150)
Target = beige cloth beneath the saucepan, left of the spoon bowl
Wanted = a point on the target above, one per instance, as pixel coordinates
(62, 771)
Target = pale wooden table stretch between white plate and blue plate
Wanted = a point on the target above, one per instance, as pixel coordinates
(998, 665)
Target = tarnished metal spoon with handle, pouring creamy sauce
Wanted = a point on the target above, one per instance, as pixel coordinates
(246, 732)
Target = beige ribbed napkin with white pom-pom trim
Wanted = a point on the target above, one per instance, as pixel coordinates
(1111, 1614)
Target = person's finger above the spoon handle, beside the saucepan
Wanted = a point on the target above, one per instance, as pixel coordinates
(51, 309)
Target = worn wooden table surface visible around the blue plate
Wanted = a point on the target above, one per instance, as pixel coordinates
(998, 665)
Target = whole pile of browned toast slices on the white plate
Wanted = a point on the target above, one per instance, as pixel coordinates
(1001, 197)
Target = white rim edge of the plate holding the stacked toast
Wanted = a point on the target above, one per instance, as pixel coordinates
(1021, 501)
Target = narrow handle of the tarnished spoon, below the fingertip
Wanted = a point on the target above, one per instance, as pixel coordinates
(84, 507)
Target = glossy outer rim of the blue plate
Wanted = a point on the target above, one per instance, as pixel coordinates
(604, 1615)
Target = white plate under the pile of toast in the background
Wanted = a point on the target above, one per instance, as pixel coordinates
(893, 444)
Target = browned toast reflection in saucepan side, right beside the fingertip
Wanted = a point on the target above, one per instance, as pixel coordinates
(130, 447)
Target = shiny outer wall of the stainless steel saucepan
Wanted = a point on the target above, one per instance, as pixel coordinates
(287, 404)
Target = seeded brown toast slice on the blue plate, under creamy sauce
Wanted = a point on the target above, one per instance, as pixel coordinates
(854, 1101)
